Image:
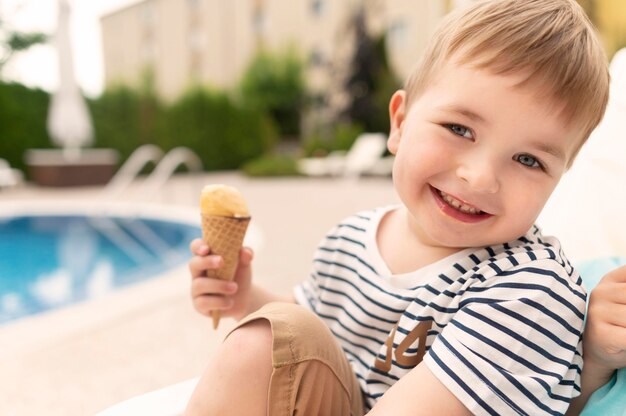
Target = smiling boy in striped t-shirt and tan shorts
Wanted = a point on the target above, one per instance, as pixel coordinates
(453, 302)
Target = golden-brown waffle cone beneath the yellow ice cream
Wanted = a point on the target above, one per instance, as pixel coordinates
(224, 235)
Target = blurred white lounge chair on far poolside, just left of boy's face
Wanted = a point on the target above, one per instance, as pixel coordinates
(364, 157)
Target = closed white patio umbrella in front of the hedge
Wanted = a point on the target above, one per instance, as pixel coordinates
(69, 123)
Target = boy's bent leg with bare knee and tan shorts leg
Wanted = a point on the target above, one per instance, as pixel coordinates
(308, 371)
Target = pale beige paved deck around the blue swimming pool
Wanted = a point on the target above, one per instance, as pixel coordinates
(85, 358)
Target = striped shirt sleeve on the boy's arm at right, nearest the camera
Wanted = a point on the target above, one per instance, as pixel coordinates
(514, 345)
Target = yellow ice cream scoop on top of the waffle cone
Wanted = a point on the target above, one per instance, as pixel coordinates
(223, 200)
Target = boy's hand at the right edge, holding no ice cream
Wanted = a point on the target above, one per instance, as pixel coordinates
(605, 331)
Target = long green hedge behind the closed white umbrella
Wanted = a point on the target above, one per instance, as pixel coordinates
(223, 132)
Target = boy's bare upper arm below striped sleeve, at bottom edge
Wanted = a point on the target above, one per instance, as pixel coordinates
(419, 393)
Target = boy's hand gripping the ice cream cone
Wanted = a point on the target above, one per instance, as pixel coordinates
(231, 298)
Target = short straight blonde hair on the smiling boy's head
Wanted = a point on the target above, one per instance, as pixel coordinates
(552, 41)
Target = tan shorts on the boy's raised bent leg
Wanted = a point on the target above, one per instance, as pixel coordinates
(311, 374)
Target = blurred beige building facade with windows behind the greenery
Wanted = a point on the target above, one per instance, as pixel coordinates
(182, 42)
